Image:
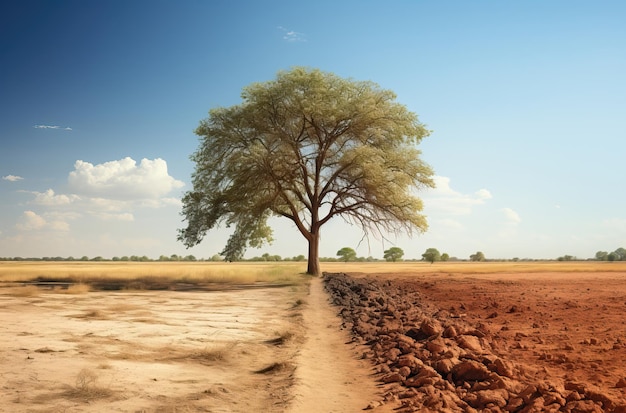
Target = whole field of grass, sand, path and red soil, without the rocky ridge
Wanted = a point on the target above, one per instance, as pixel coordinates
(230, 337)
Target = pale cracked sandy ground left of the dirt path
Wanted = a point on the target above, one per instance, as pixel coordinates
(219, 351)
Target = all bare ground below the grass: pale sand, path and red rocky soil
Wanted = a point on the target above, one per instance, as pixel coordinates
(538, 342)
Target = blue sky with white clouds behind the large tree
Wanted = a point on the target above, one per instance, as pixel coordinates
(526, 101)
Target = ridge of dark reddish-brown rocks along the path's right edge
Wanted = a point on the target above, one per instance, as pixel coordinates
(433, 361)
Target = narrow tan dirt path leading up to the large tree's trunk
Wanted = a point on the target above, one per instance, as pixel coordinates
(330, 377)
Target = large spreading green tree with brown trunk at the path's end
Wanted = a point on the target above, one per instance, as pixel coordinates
(308, 146)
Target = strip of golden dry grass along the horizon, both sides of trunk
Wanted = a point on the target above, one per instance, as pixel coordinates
(147, 273)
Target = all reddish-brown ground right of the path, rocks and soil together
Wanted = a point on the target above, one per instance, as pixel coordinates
(549, 342)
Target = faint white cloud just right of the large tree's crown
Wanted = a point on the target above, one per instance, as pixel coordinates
(444, 199)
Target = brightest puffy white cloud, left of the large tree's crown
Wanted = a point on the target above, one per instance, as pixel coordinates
(123, 179)
